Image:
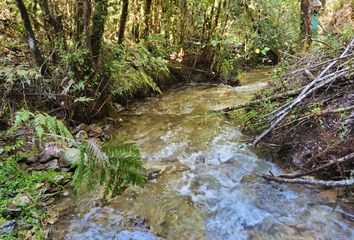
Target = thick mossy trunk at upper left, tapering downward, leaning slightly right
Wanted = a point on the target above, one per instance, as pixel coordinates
(98, 22)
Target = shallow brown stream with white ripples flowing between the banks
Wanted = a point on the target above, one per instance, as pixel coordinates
(208, 186)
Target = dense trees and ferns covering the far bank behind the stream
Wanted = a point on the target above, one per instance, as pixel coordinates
(95, 51)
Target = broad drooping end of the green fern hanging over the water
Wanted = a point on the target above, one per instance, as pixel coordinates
(115, 167)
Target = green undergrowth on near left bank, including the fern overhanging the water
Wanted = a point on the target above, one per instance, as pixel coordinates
(112, 166)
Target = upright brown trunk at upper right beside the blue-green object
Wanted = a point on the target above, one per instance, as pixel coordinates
(306, 18)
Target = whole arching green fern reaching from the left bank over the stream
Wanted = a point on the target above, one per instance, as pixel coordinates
(114, 167)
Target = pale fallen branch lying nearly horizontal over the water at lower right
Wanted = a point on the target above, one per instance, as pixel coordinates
(347, 182)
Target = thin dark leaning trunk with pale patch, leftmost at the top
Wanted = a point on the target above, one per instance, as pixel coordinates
(32, 42)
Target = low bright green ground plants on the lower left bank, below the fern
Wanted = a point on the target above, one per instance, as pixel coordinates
(16, 182)
